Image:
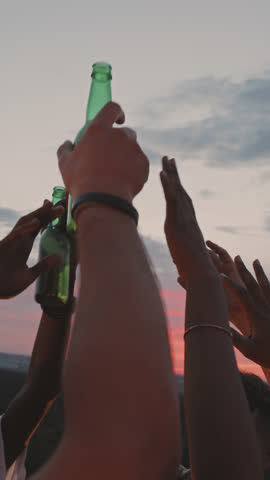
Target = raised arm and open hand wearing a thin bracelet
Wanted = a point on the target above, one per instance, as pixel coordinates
(217, 413)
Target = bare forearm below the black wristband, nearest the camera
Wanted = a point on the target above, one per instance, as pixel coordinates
(118, 359)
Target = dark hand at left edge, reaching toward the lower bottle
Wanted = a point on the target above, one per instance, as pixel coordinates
(15, 248)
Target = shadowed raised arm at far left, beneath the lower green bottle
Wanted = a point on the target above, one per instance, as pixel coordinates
(44, 379)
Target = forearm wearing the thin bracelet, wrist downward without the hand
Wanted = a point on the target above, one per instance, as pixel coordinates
(221, 434)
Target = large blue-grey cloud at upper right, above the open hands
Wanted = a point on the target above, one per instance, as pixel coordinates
(231, 126)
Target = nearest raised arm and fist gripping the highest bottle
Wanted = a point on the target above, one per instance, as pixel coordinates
(120, 393)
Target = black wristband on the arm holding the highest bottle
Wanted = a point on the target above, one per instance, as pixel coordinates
(112, 200)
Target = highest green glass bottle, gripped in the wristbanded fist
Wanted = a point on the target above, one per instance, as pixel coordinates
(100, 94)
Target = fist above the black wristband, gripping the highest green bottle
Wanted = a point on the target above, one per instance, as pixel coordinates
(106, 159)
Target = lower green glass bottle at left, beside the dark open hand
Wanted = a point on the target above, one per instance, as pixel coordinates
(52, 286)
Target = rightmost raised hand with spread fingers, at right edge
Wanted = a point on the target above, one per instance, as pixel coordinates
(254, 299)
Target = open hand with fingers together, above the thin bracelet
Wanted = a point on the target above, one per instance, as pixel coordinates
(184, 237)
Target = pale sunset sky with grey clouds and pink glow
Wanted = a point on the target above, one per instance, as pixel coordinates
(194, 80)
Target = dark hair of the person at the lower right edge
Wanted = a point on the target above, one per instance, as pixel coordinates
(257, 392)
